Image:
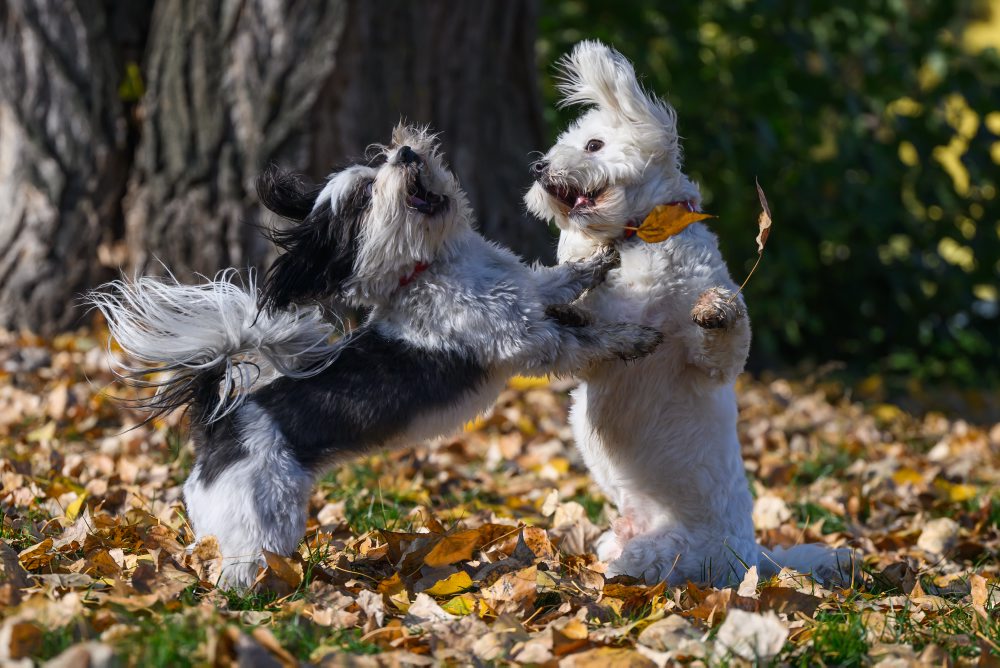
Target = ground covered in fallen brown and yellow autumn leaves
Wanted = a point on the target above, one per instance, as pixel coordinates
(476, 549)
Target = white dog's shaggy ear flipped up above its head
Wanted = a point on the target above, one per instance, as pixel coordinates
(597, 75)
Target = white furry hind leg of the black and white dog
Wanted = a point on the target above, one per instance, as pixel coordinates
(247, 490)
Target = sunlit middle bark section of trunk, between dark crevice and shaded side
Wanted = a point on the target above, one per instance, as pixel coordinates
(230, 87)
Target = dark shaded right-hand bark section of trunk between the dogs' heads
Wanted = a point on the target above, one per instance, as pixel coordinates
(465, 68)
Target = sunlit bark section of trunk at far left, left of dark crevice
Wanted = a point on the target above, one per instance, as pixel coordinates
(63, 155)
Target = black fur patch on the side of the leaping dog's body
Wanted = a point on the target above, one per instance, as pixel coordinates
(368, 396)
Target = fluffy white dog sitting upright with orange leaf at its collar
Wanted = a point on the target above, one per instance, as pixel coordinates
(659, 435)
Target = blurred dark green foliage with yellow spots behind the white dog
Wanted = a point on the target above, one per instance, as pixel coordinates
(874, 129)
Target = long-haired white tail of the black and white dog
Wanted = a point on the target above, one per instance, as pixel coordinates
(211, 341)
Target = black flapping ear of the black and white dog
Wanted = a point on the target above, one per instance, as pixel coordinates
(319, 253)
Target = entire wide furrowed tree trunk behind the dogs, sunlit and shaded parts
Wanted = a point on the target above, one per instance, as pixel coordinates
(231, 85)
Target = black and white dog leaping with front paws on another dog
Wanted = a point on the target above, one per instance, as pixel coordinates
(274, 400)
